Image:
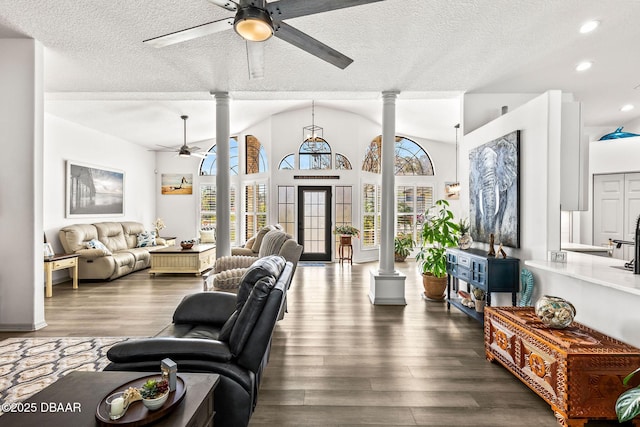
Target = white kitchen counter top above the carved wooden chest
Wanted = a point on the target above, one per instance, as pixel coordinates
(609, 272)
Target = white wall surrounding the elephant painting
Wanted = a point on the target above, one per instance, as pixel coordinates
(539, 123)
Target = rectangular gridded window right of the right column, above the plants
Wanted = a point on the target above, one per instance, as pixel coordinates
(411, 203)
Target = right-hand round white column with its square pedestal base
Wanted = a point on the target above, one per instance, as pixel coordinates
(387, 284)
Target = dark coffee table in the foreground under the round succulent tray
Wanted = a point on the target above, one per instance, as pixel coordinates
(74, 398)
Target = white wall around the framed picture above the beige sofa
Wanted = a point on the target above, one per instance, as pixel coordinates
(64, 141)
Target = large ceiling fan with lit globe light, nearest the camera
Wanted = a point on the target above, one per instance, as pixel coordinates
(256, 21)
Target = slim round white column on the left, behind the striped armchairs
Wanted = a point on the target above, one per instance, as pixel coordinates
(223, 186)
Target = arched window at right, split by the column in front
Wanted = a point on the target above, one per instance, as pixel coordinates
(410, 158)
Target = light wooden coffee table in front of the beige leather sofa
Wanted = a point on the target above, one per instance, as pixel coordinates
(177, 260)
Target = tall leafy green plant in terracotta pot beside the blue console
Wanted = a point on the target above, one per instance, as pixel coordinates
(439, 232)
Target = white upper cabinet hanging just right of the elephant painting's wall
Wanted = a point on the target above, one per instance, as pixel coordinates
(574, 153)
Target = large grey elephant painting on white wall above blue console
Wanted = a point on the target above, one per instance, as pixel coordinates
(493, 188)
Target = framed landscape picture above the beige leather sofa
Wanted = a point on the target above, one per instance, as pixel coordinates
(94, 191)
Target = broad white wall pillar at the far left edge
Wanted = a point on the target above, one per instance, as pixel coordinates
(21, 201)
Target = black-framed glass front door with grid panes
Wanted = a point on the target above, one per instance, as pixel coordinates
(314, 223)
